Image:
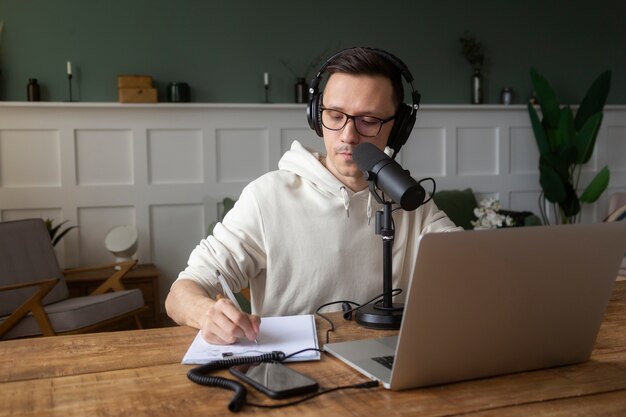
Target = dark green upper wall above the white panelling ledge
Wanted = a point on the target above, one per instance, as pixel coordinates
(222, 48)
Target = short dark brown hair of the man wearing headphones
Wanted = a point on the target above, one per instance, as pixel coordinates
(365, 61)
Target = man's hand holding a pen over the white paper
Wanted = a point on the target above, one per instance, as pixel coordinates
(223, 323)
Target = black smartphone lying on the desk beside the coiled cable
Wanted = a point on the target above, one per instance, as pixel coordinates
(275, 379)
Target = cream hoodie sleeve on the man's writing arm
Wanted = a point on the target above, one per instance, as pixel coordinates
(236, 249)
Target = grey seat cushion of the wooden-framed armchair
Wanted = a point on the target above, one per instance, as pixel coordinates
(76, 313)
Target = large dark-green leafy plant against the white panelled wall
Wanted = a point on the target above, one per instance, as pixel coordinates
(566, 142)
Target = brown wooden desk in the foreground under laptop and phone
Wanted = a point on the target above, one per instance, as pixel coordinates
(138, 373)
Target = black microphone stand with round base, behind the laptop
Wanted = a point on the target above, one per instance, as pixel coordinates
(385, 315)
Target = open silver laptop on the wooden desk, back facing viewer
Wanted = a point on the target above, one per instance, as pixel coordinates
(485, 303)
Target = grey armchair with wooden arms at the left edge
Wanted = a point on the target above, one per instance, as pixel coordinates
(34, 298)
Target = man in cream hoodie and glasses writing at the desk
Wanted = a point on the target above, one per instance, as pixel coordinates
(301, 236)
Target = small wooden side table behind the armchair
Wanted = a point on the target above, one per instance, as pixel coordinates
(144, 277)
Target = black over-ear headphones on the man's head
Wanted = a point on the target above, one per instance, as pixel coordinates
(405, 116)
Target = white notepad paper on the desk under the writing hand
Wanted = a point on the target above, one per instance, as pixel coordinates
(287, 334)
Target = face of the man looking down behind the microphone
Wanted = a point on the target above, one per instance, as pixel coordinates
(356, 95)
